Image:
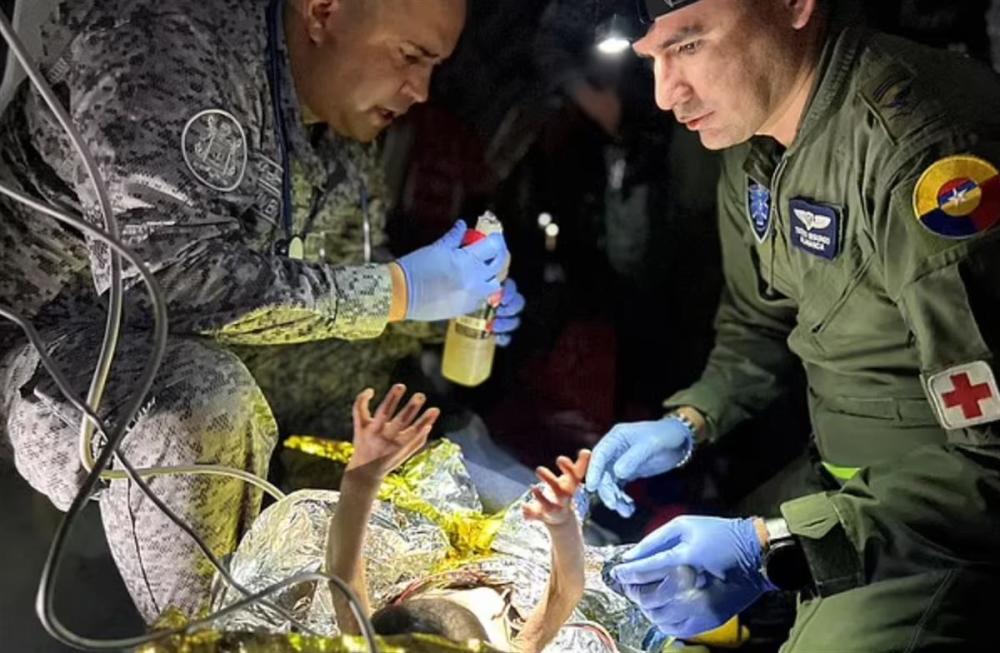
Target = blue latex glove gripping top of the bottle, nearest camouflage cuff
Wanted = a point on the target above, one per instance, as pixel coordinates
(445, 280)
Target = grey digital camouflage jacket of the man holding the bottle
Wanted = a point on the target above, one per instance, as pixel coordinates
(173, 98)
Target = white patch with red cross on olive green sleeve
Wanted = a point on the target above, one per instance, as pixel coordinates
(965, 396)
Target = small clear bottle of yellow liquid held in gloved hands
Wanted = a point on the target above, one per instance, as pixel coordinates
(470, 345)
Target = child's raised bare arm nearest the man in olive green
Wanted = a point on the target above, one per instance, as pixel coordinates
(565, 589)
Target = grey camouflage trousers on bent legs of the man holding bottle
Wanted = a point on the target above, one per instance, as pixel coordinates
(204, 408)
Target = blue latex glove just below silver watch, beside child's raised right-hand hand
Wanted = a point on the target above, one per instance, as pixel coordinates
(637, 450)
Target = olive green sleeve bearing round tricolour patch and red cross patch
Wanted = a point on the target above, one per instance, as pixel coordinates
(936, 507)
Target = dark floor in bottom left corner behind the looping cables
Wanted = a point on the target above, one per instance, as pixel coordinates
(92, 600)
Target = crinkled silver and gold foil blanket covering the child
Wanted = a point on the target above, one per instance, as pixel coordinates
(427, 529)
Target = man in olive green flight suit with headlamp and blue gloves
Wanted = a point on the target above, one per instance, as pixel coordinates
(858, 208)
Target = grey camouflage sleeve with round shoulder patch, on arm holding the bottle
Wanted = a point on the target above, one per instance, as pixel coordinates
(132, 90)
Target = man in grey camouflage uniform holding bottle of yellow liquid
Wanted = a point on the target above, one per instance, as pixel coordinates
(197, 112)
